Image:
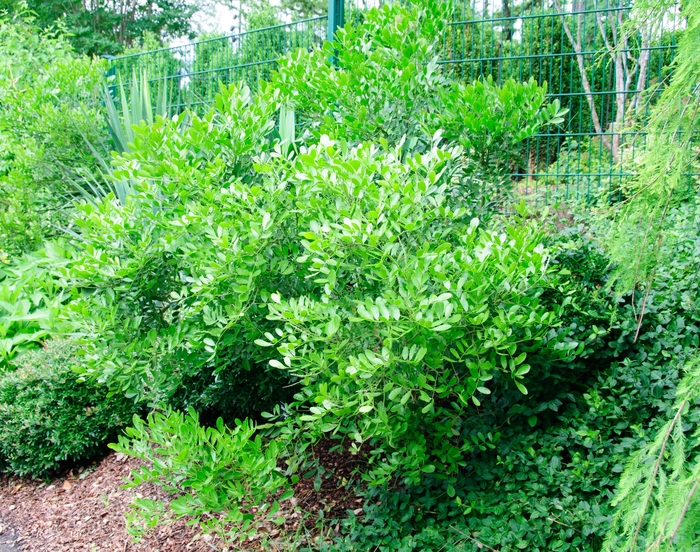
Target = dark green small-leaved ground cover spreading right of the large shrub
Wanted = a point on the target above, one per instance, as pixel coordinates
(559, 457)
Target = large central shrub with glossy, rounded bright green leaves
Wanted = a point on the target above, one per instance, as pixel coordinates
(345, 267)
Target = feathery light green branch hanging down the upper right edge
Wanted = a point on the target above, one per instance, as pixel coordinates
(664, 171)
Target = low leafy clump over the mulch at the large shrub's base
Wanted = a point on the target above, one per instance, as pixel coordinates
(226, 479)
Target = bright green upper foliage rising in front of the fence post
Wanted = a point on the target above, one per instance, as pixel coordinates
(385, 83)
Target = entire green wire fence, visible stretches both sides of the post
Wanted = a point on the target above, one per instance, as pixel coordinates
(605, 71)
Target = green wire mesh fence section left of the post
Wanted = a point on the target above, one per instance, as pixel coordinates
(192, 72)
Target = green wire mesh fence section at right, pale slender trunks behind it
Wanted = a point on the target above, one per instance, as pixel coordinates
(602, 67)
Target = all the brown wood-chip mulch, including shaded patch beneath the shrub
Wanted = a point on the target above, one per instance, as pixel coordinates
(84, 510)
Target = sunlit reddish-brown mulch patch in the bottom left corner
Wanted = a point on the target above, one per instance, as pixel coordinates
(84, 510)
